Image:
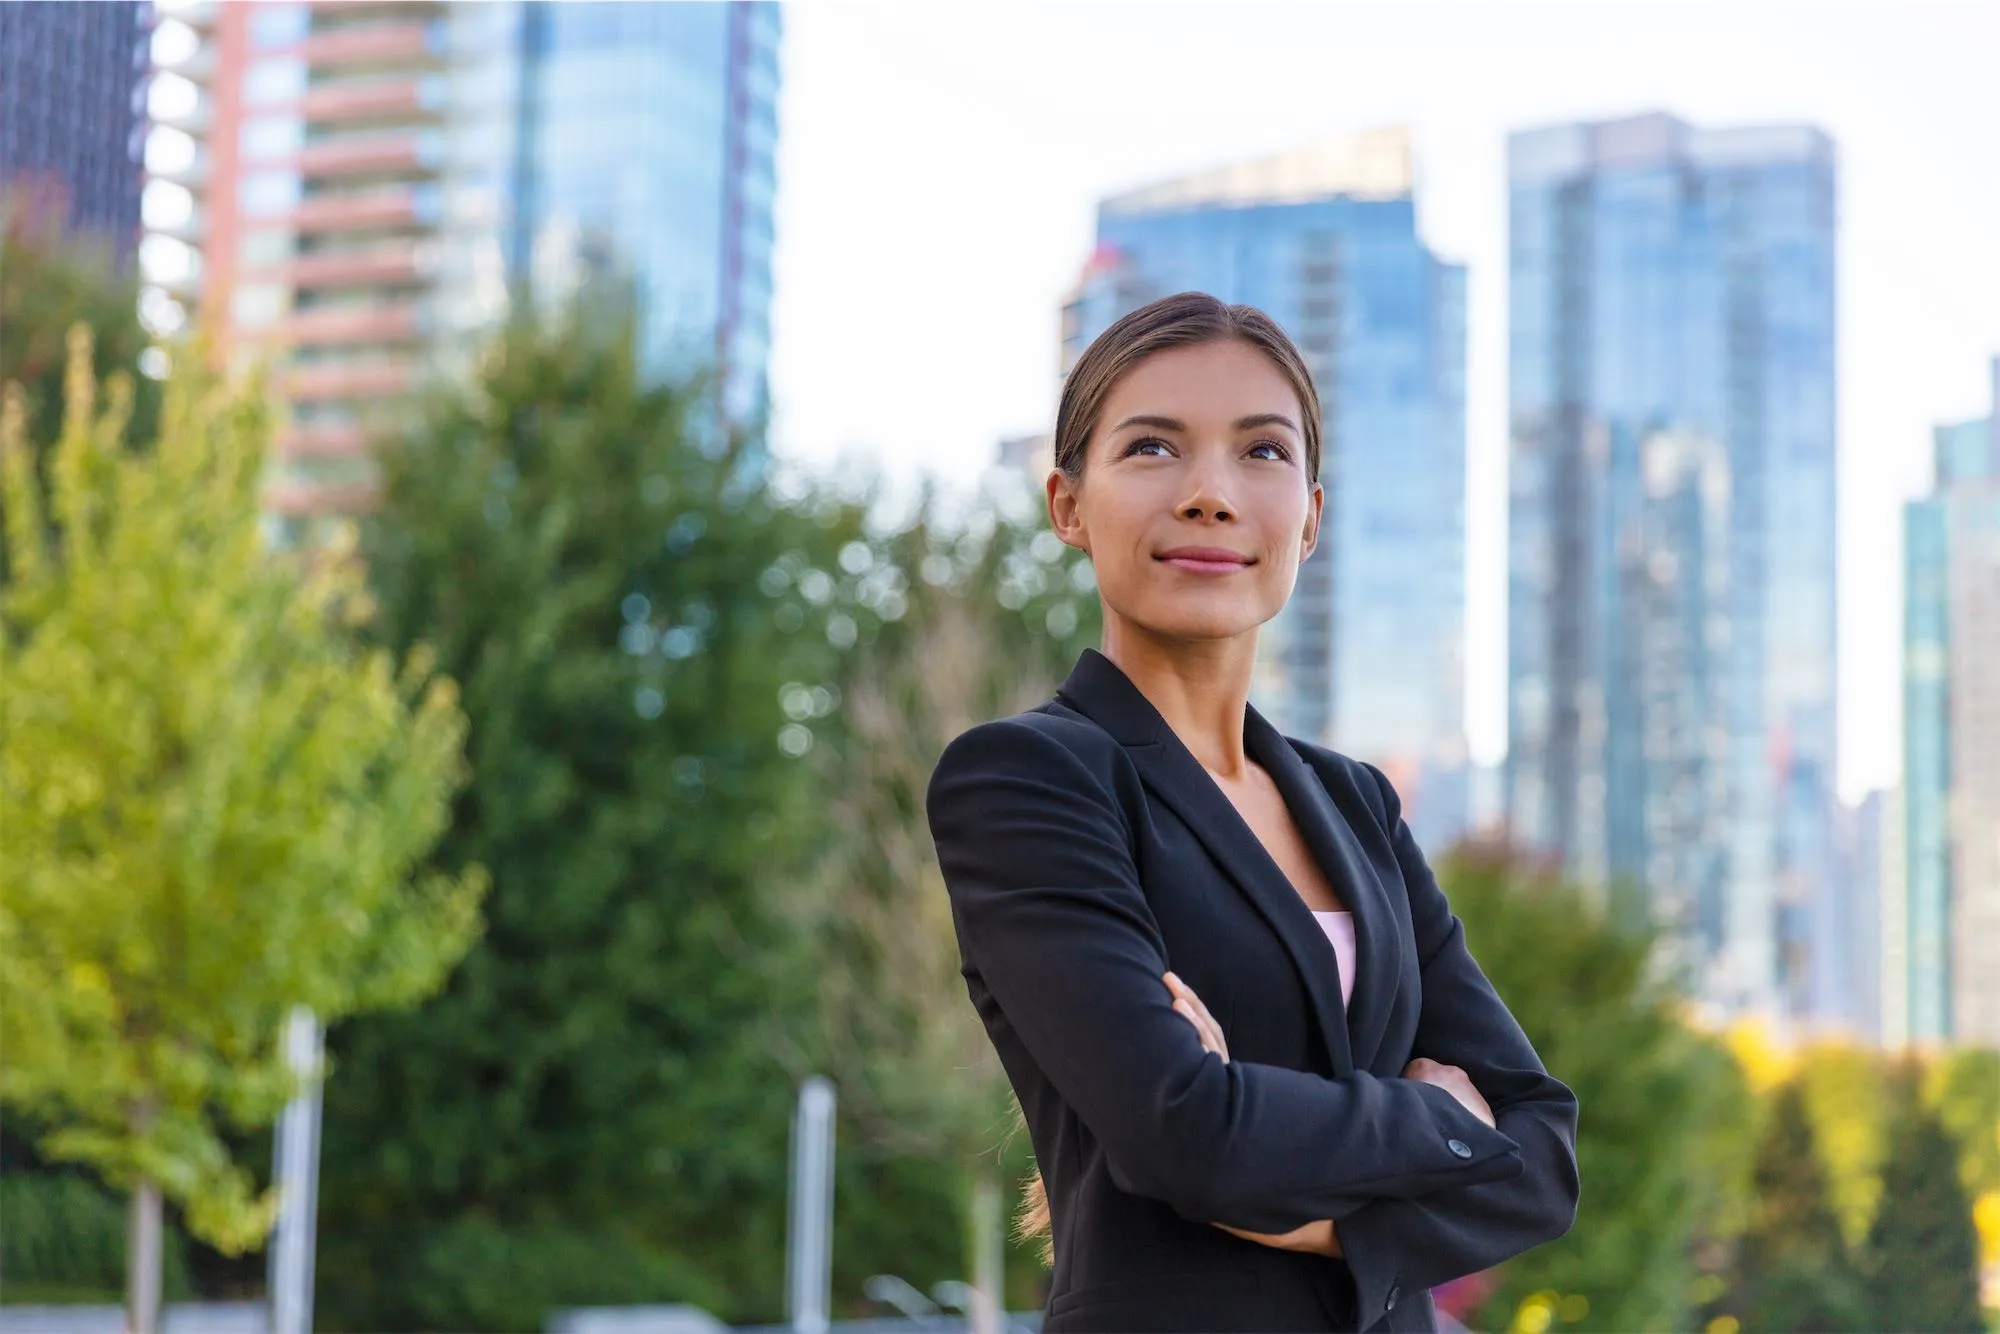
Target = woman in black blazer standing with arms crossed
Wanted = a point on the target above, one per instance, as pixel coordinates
(1267, 1085)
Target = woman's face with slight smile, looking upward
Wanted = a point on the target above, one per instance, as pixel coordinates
(1195, 503)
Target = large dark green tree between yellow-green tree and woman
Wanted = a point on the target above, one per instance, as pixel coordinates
(647, 641)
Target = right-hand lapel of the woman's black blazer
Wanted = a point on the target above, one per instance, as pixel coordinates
(1347, 867)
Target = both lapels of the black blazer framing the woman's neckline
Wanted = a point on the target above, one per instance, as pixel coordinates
(1103, 693)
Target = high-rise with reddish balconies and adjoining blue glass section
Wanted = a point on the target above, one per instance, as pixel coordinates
(365, 189)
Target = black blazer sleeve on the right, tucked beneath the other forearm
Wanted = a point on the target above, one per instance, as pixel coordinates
(1419, 1243)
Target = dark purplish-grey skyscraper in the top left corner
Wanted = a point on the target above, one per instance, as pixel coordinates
(71, 109)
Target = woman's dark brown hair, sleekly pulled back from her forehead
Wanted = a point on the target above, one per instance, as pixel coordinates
(1179, 321)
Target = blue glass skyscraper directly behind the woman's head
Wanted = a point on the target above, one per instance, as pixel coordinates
(1369, 657)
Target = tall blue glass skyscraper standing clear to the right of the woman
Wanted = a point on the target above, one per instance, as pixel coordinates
(1677, 285)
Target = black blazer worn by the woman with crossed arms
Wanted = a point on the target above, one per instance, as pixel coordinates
(1087, 853)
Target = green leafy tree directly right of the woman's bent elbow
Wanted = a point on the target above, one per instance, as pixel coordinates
(1663, 1107)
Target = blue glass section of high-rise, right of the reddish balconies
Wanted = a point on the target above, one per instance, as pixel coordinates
(621, 139)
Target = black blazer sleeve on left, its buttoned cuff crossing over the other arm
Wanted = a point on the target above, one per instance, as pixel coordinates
(1053, 917)
